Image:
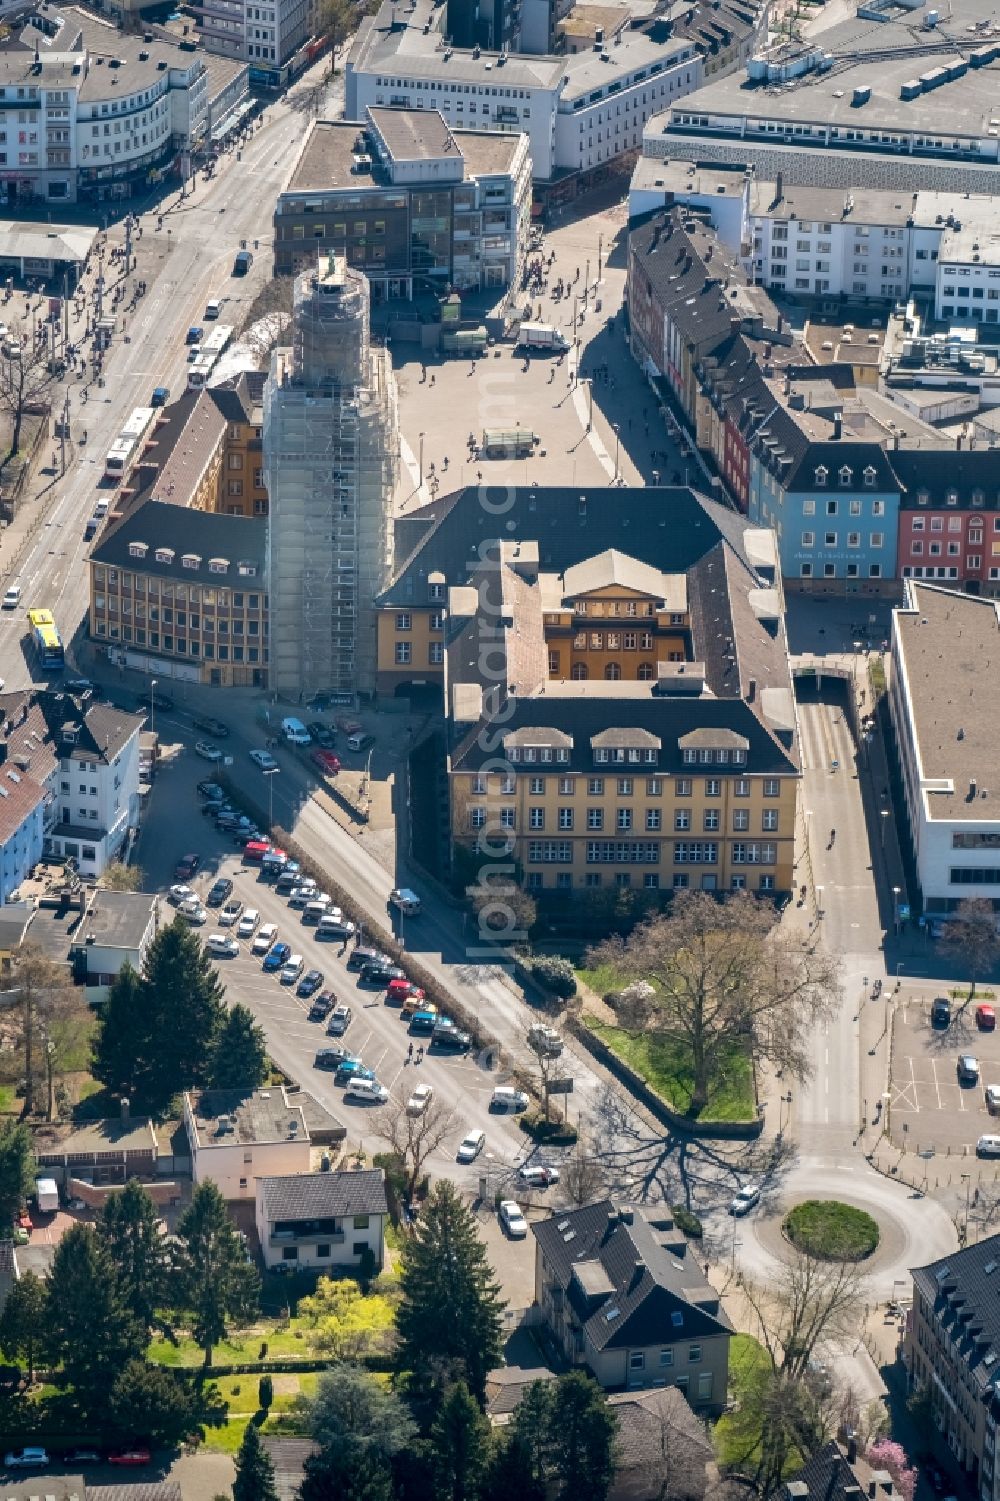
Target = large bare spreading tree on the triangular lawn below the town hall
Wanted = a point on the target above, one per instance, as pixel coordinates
(723, 970)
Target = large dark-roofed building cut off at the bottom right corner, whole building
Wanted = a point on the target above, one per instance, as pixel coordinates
(953, 1353)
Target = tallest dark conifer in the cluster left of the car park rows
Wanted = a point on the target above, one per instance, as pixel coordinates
(184, 994)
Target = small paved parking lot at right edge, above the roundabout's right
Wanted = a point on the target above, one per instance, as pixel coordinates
(930, 1107)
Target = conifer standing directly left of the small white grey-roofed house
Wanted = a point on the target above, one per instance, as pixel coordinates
(215, 1283)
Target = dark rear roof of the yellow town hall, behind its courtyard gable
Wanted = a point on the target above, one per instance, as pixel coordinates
(672, 529)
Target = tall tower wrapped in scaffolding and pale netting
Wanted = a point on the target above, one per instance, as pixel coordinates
(331, 453)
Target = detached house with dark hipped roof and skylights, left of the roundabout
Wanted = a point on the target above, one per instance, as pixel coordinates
(622, 1295)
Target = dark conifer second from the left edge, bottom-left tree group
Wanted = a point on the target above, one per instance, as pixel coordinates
(91, 1334)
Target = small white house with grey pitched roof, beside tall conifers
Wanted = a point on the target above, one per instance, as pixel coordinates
(324, 1220)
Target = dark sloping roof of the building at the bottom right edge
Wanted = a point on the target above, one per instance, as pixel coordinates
(965, 1293)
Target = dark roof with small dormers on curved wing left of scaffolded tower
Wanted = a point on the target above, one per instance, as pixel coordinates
(241, 540)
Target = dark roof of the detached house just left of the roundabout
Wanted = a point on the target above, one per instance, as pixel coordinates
(658, 1292)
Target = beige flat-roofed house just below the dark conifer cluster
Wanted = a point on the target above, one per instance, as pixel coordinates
(238, 1139)
